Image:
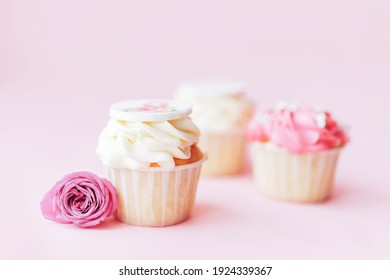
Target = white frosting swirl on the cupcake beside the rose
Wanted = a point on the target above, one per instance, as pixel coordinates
(134, 145)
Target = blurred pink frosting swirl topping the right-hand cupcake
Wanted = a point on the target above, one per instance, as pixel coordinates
(299, 131)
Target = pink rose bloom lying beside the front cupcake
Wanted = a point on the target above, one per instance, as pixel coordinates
(81, 198)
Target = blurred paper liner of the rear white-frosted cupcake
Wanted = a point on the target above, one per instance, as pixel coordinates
(225, 150)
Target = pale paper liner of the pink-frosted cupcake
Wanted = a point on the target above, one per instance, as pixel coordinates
(304, 177)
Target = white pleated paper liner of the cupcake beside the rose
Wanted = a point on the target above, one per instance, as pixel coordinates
(154, 196)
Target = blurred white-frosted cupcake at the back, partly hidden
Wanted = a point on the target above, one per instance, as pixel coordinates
(221, 111)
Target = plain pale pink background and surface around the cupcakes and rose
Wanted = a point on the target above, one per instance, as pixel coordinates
(62, 63)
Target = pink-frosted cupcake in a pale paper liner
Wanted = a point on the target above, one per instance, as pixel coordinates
(294, 152)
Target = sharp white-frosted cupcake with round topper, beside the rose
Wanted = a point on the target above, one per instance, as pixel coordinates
(150, 154)
